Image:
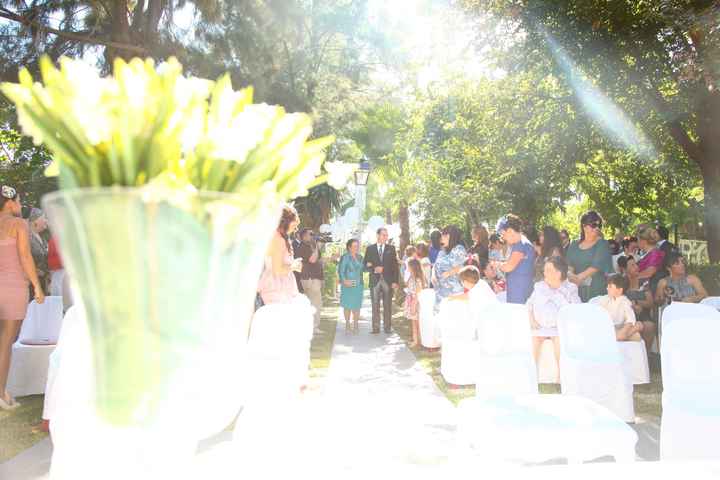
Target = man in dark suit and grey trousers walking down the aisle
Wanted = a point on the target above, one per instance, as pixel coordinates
(382, 263)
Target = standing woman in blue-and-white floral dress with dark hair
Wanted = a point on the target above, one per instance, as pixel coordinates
(450, 260)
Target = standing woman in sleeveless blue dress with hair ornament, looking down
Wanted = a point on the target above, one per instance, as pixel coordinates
(520, 266)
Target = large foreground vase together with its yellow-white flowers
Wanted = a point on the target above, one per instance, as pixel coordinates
(170, 189)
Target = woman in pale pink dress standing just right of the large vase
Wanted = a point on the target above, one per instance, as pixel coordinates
(277, 283)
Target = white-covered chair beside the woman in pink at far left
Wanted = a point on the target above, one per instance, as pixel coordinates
(31, 352)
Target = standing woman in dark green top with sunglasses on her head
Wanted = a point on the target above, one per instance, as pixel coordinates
(589, 258)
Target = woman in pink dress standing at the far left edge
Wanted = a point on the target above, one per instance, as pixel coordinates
(16, 267)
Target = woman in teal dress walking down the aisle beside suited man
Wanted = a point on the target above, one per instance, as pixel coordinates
(350, 273)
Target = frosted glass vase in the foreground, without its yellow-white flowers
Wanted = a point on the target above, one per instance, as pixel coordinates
(168, 284)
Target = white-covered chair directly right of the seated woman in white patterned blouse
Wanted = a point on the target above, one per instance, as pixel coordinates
(590, 362)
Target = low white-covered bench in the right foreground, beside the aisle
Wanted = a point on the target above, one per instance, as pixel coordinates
(537, 428)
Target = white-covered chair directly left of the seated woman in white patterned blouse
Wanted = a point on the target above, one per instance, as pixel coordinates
(505, 363)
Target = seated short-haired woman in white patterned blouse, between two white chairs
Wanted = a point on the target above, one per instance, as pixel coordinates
(548, 297)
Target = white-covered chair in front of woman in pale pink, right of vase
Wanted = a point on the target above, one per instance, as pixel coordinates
(279, 347)
